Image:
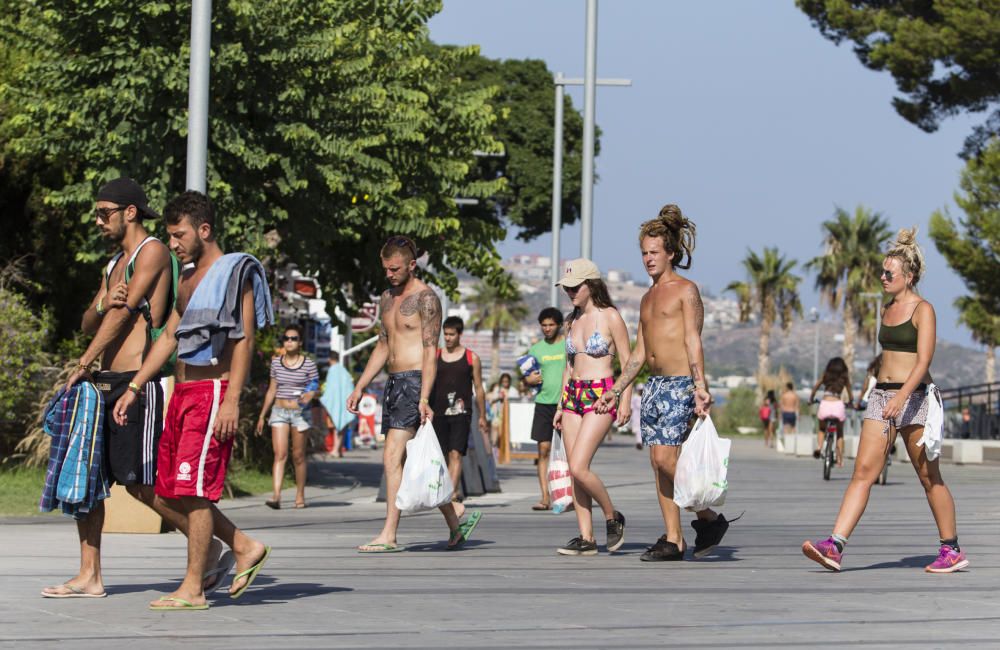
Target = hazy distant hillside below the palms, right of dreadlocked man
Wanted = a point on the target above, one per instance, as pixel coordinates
(734, 351)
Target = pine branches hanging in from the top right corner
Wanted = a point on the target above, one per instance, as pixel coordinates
(942, 54)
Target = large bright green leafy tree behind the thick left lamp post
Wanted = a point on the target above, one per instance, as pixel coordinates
(330, 123)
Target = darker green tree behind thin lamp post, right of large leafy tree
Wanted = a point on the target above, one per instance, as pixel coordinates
(525, 106)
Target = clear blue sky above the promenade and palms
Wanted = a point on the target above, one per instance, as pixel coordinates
(742, 114)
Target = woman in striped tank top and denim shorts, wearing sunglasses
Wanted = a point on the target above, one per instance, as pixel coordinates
(294, 381)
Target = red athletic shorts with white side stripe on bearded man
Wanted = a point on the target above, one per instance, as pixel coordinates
(191, 461)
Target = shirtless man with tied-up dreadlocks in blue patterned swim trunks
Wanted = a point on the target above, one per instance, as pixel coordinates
(669, 341)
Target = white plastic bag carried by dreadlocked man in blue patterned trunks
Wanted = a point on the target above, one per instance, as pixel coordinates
(700, 479)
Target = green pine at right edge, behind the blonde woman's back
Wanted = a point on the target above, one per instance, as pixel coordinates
(972, 245)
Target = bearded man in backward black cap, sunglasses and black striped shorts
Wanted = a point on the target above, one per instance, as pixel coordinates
(135, 295)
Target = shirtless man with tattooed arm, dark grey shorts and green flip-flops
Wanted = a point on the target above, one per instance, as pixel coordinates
(411, 325)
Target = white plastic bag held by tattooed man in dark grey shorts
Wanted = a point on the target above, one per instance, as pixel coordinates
(426, 483)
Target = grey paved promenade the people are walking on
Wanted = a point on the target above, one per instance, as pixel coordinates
(508, 588)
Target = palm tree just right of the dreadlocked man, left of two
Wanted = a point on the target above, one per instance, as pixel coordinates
(771, 293)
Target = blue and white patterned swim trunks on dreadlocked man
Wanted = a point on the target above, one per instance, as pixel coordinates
(667, 410)
